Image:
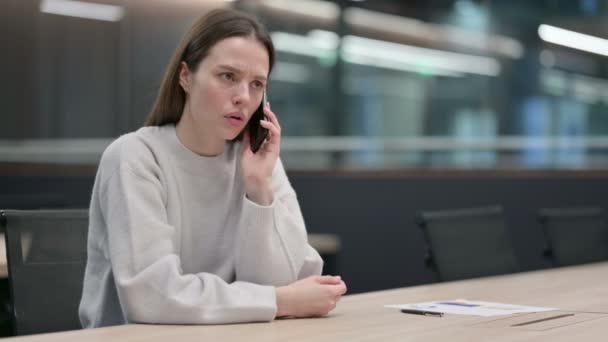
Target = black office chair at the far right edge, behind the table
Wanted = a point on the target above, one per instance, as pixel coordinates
(575, 235)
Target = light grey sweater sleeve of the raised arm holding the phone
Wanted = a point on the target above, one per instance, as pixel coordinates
(272, 246)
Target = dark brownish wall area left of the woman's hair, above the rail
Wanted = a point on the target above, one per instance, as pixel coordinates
(68, 77)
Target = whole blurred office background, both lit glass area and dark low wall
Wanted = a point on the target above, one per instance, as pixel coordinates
(388, 108)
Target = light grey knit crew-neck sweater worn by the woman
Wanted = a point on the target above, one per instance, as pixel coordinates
(173, 239)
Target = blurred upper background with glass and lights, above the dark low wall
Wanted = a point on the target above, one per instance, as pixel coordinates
(376, 84)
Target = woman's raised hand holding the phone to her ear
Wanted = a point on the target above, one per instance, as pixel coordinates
(256, 168)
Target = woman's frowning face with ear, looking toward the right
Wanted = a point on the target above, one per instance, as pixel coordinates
(227, 87)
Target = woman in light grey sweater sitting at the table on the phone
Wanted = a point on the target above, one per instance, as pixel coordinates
(187, 224)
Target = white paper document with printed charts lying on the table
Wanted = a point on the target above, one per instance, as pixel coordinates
(470, 307)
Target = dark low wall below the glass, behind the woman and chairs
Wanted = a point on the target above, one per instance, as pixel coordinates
(373, 214)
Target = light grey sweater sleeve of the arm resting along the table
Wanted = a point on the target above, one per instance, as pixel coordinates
(151, 286)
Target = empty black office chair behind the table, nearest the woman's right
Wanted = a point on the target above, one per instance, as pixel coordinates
(468, 243)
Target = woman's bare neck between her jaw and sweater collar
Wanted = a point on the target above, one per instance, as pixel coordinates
(199, 140)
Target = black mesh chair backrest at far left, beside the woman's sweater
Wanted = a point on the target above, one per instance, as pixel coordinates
(46, 252)
